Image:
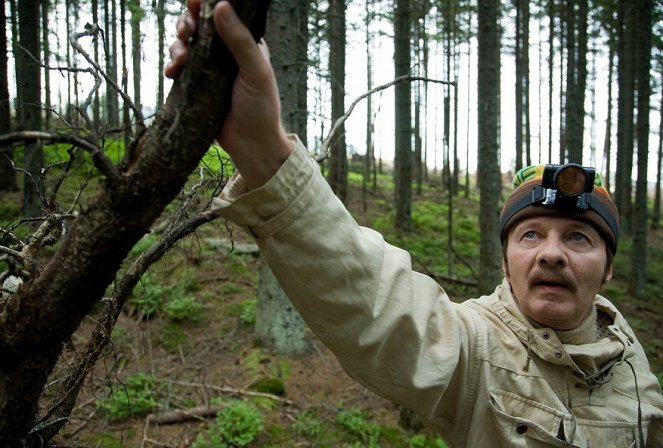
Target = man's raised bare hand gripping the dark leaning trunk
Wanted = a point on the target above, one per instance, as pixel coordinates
(252, 133)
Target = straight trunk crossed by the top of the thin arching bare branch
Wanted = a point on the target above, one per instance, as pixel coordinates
(403, 157)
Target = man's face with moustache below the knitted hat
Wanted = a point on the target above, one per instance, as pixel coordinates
(555, 267)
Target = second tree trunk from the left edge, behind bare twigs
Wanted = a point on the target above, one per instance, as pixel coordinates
(30, 101)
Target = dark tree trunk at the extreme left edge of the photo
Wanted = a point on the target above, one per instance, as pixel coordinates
(7, 173)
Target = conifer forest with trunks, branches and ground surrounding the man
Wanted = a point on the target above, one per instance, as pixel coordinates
(131, 316)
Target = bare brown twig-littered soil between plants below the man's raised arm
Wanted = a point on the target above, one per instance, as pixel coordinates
(200, 363)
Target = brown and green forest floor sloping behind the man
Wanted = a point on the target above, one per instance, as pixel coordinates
(210, 358)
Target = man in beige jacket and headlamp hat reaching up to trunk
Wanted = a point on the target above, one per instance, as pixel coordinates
(543, 361)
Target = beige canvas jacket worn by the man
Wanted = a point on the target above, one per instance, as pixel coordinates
(472, 371)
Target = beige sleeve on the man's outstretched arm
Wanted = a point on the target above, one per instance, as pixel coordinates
(392, 329)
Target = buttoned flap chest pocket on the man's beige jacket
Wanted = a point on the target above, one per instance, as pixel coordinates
(523, 423)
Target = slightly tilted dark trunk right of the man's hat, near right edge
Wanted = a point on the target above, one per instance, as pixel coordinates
(643, 54)
